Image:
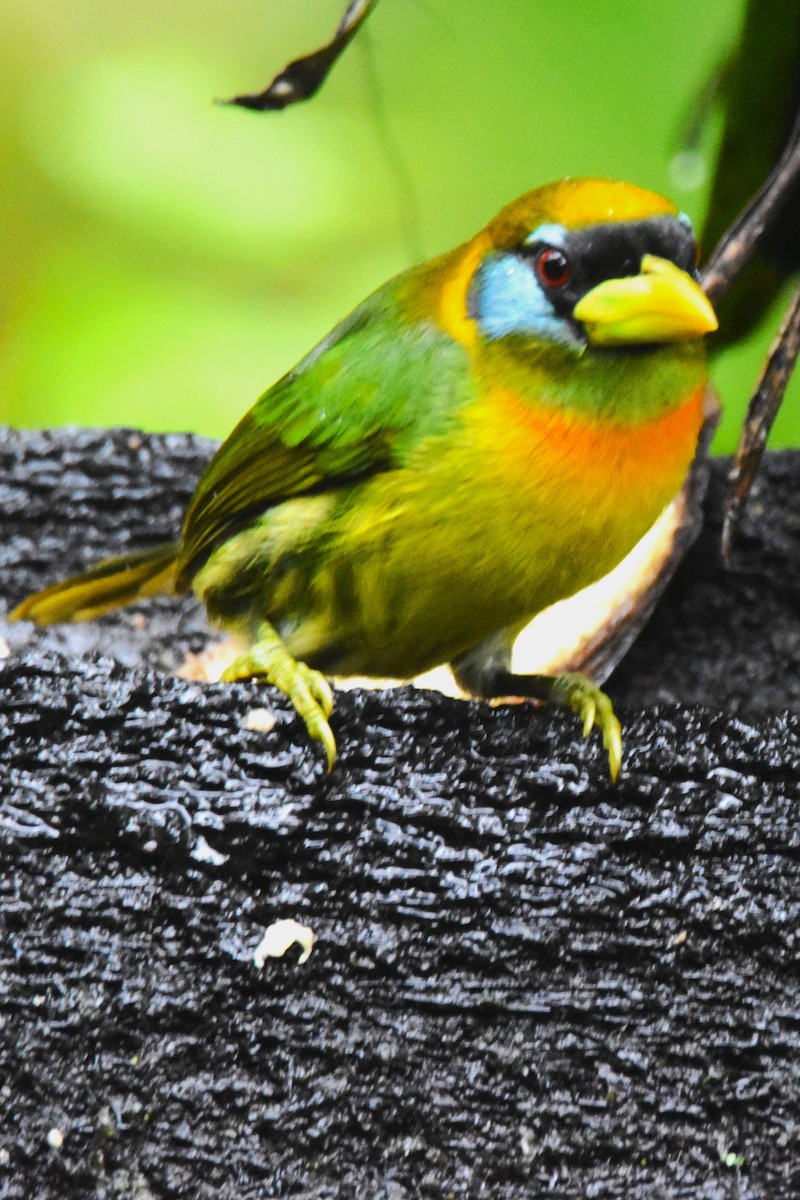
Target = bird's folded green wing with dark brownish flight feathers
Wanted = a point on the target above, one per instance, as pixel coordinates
(353, 407)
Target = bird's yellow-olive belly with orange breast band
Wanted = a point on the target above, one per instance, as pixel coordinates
(485, 531)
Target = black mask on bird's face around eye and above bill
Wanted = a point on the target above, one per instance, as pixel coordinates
(613, 251)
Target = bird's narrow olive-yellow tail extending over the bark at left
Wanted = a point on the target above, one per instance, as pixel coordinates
(113, 584)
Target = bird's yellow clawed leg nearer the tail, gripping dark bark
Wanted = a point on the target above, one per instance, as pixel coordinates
(308, 689)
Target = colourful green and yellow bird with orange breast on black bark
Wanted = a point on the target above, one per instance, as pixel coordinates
(488, 434)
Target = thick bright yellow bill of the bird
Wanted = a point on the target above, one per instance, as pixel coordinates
(663, 304)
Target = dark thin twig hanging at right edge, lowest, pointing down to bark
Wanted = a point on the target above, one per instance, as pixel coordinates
(761, 415)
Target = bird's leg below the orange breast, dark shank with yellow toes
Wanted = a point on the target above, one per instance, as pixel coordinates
(492, 680)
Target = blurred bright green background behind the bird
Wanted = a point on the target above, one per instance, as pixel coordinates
(164, 260)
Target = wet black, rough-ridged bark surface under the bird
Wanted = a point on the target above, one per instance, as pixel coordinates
(525, 983)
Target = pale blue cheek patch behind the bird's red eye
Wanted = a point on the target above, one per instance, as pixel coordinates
(507, 299)
